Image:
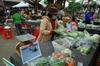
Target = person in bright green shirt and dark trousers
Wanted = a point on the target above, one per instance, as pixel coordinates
(17, 19)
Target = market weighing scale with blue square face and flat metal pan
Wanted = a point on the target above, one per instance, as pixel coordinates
(27, 49)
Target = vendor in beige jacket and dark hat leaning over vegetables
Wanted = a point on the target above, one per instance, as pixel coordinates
(48, 25)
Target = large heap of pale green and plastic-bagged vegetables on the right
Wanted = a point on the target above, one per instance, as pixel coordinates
(82, 41)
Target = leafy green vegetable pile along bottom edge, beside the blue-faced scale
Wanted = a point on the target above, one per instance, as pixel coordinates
(44, 61)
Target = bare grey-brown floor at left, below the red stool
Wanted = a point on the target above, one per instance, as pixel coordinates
(7, 47)
